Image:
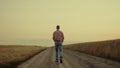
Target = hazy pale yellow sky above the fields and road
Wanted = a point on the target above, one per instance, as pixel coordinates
(32, 22)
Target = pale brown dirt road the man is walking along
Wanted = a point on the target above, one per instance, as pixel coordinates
(71, 59)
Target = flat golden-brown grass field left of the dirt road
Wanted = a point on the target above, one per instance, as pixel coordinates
(11, 56)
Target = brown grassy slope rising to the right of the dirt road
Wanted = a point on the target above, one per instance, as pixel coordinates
(108, 49)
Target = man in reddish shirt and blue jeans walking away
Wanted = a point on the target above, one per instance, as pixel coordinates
(58, 38)
